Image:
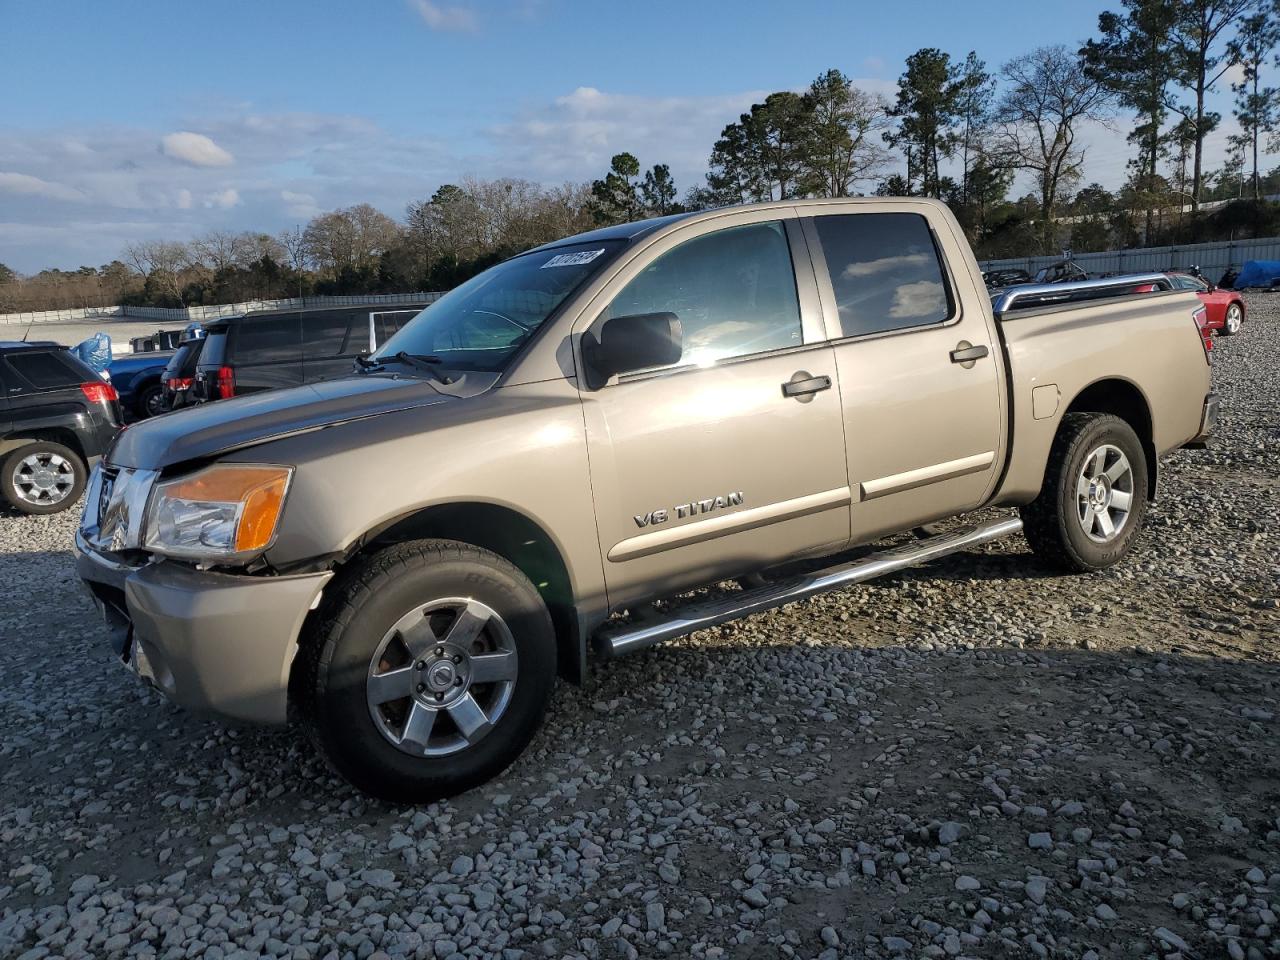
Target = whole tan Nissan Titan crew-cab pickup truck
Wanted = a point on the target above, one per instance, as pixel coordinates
(404, 559)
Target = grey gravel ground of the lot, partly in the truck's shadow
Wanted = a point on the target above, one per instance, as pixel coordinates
(975, 760)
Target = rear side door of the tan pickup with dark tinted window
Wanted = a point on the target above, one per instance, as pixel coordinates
(921, 381)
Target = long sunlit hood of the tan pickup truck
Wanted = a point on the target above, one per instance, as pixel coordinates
(213, 429)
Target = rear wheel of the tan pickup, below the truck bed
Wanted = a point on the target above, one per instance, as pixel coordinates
(1095, 496)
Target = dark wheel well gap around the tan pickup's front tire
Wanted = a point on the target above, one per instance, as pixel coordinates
(514, 537)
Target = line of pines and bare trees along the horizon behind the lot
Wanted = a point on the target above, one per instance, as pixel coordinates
(957, 131)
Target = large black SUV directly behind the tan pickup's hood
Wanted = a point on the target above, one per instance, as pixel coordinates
(286, 349)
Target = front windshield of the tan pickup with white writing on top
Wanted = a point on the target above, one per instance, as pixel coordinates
(483, 323)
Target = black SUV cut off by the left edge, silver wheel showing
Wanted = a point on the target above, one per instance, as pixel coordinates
(56, 417)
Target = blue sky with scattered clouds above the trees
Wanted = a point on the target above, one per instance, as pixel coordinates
(162, 121)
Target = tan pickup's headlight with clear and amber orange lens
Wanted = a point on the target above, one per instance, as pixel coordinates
(225, 513)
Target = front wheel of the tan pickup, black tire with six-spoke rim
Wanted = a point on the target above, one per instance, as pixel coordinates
(428, 670)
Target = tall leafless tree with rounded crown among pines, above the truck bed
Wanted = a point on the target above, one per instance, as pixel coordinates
(1048, 99)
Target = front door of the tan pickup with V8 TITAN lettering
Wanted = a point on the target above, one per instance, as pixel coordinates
(714, 465)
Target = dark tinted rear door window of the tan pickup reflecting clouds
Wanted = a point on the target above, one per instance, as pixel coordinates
(885, 272)
